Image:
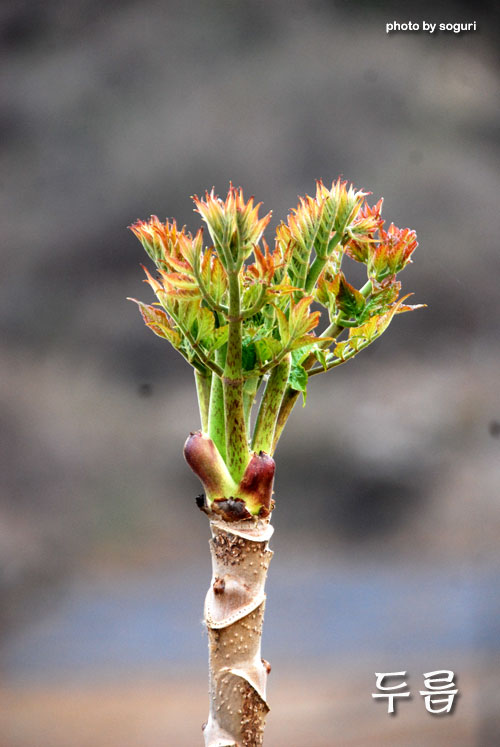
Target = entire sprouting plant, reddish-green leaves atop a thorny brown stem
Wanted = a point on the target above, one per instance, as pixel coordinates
(246, 318)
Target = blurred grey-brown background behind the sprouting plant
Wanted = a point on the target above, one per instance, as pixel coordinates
(387, 519)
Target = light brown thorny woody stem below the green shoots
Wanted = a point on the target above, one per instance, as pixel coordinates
(234, 611)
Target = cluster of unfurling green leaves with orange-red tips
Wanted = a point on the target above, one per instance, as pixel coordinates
(275, 298)
